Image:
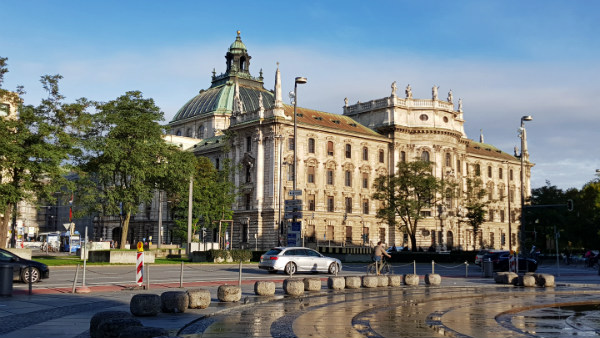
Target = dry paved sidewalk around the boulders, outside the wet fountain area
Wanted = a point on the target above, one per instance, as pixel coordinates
(58, 313)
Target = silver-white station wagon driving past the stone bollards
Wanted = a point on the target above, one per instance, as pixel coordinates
(295, 259)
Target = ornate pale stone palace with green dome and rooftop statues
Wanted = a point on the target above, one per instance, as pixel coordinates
(338, 156)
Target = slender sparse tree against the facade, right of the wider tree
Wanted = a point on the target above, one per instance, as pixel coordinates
(475, 205)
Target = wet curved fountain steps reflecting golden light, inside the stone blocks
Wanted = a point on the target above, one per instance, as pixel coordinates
(414, 312)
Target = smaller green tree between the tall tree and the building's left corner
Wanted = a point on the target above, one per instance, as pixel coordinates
(213, 196)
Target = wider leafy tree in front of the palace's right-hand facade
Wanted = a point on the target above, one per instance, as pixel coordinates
(405, 194)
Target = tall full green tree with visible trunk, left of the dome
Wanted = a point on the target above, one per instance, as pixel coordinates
(127, 159)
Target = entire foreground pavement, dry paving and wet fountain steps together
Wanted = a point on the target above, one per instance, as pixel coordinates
(459, 307)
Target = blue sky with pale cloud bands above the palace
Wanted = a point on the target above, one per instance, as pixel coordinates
(505, 59)
